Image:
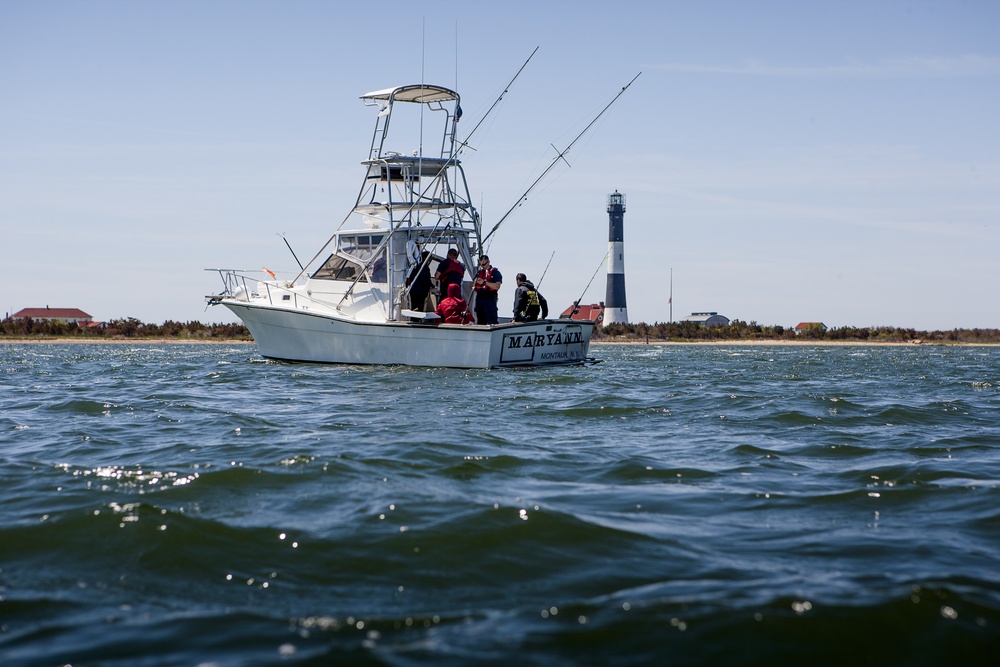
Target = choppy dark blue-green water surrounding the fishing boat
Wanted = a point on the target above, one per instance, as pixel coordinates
(672, 505)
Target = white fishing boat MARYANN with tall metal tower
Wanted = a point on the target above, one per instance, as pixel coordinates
(350, 303)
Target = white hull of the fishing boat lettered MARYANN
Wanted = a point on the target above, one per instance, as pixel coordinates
(294, 335)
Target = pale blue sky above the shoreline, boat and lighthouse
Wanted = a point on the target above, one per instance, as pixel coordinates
(782, 161)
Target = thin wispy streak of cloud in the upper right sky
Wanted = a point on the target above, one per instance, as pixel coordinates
(901, 67)
